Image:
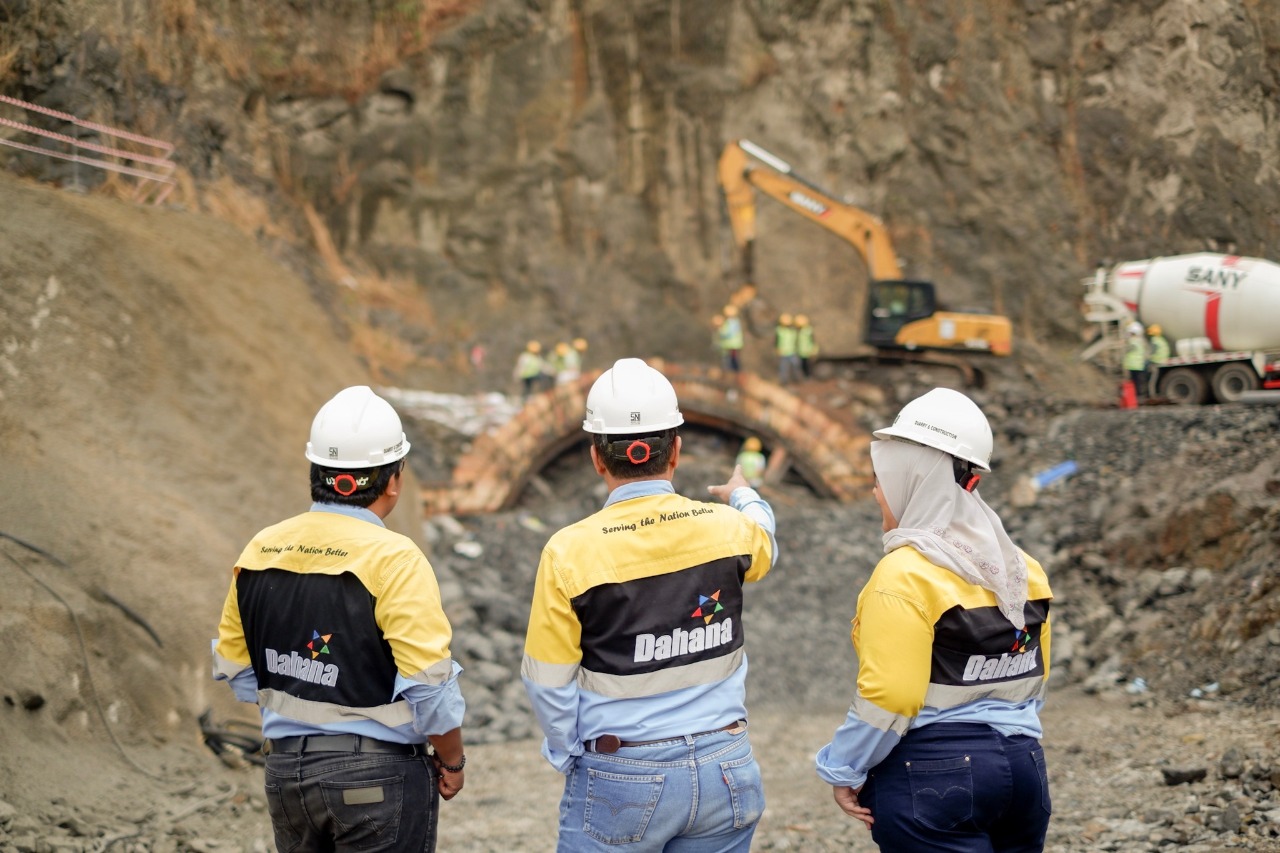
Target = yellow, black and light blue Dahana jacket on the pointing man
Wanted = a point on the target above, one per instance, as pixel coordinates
(637, 622)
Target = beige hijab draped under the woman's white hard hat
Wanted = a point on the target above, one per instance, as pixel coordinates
(952, 528)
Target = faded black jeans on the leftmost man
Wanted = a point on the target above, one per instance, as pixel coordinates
(337, 802)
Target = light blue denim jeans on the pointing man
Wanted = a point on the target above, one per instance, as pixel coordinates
(683, 796)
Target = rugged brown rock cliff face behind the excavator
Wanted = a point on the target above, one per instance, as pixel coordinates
(543, 170)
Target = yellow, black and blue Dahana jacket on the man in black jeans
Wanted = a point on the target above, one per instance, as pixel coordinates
(335, 624)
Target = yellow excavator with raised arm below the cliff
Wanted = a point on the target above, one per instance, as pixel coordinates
(902, 316)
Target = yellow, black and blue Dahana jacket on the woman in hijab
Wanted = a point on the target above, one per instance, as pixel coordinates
(935, 649)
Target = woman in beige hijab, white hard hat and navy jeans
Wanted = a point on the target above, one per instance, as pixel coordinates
(941, 746)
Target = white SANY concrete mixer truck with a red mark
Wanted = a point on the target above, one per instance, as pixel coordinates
(1220, 312)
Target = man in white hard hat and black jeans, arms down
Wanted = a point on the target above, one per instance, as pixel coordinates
(335, 627)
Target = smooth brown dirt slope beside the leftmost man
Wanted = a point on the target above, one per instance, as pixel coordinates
(158, 381)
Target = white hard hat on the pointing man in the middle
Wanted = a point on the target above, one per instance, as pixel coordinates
(632, 398)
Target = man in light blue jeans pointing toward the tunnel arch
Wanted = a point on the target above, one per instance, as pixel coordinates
(636, 662)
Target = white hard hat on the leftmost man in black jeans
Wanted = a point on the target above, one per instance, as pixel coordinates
(356, 430)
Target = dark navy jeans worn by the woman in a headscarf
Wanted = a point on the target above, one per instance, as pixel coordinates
(963, 788)
